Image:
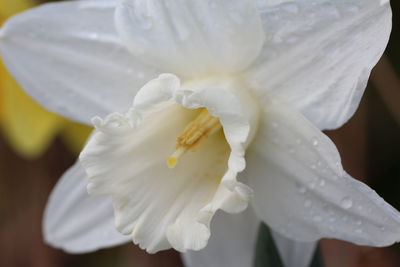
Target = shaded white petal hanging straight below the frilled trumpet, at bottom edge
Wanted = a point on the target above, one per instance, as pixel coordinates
(232, 243)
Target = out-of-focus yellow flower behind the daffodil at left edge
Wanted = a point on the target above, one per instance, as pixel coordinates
(28, 127)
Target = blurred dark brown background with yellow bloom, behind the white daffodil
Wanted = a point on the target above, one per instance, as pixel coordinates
(36, 147)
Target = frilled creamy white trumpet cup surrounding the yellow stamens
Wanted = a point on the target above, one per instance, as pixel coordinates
(126, 158)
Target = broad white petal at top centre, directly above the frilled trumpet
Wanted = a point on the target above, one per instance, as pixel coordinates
(191, 37)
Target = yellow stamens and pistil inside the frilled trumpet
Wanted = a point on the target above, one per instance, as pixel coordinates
(194, 134)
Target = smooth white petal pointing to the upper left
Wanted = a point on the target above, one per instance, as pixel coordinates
(69, 57)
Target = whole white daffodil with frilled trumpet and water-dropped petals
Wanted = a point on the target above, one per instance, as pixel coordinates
(202, 106)
